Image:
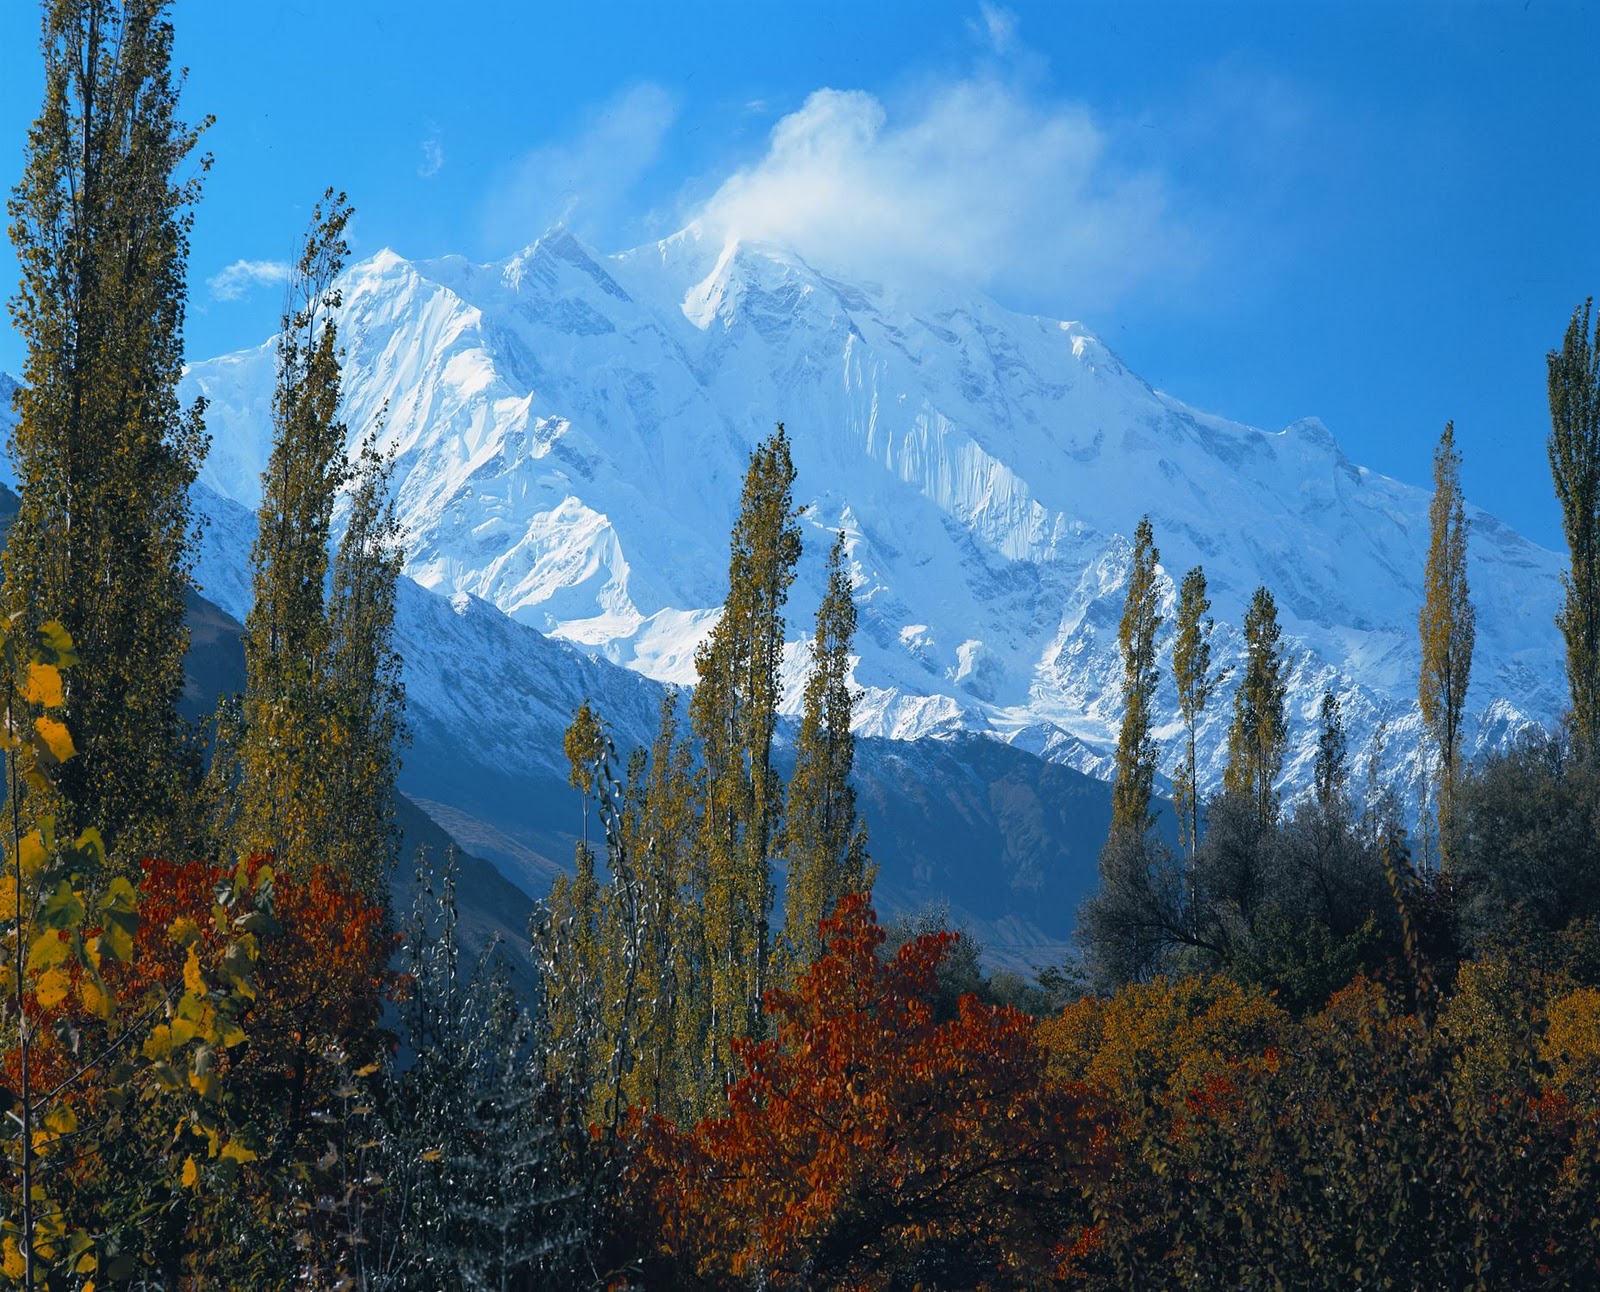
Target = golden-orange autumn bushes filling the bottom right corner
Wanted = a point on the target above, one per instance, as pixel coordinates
(1366, 1146)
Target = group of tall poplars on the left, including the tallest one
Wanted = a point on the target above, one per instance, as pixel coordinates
(106, 455)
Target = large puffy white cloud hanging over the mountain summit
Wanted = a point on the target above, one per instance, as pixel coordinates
(974, 181)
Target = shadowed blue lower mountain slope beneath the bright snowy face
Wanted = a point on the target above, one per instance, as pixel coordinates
(1004, 839)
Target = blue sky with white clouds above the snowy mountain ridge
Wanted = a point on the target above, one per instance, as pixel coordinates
(1375, 213)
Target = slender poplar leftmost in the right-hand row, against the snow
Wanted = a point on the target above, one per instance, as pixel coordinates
(1135, 768)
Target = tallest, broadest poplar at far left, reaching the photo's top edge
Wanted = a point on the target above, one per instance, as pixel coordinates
(105, 453)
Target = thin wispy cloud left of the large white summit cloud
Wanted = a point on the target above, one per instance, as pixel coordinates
(588, 181)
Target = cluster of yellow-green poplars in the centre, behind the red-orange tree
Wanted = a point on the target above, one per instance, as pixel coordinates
(657, 976)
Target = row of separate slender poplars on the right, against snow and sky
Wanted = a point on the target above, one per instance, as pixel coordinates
(1447, 628)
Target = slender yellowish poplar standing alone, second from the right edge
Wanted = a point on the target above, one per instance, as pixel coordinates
(1446, 626)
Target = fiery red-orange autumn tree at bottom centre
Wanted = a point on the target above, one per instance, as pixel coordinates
(870, 1146)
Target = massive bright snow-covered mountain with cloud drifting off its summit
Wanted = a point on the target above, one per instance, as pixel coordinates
(572, 431)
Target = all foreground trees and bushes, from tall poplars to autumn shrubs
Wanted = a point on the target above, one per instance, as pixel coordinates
(1292, 1056)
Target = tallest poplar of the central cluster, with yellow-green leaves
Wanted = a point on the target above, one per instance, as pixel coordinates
(734, 714)
